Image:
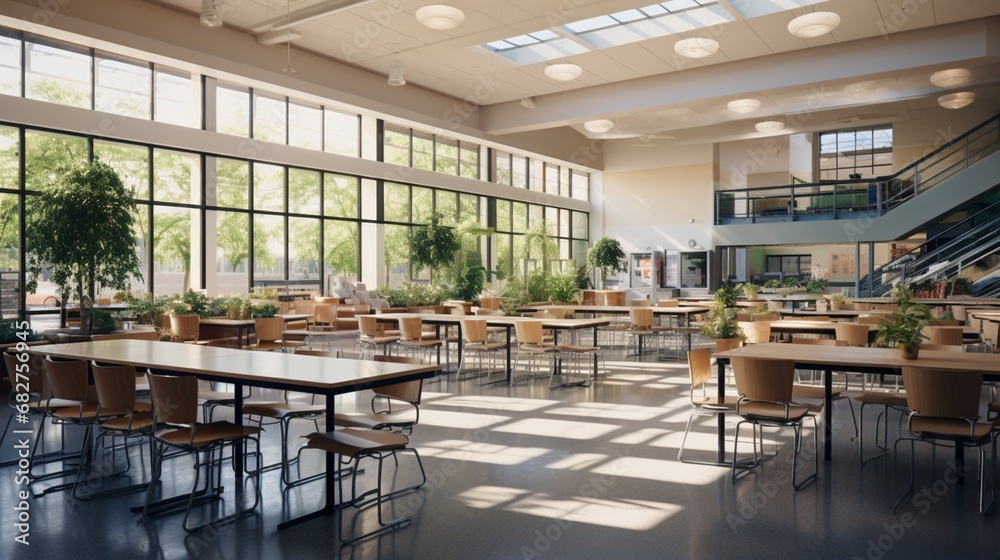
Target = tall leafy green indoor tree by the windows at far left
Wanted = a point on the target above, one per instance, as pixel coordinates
(81, 230)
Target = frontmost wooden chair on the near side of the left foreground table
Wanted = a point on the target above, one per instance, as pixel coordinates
(175, 416)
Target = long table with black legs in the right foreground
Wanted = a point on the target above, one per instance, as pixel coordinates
(842, 358)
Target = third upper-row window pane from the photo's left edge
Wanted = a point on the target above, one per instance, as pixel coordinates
(123, 87)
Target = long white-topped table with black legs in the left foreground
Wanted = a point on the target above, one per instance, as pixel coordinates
(274, 370)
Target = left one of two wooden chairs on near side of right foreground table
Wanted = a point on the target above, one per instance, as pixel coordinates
(765, 389)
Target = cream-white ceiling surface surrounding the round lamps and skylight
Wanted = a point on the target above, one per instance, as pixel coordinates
(645, 87)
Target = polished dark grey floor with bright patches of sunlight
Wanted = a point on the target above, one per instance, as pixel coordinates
(579, 472)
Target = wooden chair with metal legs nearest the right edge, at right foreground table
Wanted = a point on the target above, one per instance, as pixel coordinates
(944, 407)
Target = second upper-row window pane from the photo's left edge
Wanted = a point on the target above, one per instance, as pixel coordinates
(57, 73)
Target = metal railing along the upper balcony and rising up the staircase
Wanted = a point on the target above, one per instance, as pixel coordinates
(848, 199)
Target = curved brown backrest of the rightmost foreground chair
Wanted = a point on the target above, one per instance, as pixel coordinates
(943, 393)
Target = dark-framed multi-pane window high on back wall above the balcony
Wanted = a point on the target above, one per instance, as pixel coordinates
(857, 151)
